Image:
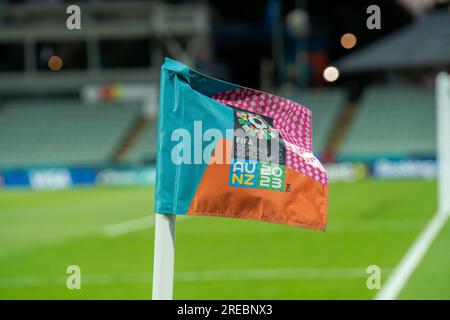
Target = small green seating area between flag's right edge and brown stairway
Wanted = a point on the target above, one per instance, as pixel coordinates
(326, 105)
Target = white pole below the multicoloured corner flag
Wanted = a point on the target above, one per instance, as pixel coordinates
(163, 261)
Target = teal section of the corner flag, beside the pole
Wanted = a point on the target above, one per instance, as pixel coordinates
(185, 103)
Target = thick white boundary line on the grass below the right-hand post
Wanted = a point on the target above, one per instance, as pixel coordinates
(410, 261)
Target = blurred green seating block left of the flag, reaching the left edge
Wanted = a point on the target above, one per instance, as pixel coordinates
(65, 132)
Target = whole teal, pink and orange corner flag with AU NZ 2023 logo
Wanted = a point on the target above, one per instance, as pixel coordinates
(230, 151)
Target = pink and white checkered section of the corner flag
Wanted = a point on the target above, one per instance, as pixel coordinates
(291, 119)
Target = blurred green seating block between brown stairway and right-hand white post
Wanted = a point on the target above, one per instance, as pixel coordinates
(394, 121)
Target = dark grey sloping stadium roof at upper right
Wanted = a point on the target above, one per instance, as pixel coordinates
(424, 43)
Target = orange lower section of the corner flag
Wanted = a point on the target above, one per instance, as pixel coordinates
(303, 203)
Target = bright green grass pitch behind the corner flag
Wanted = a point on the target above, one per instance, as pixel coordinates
(370, 223)
